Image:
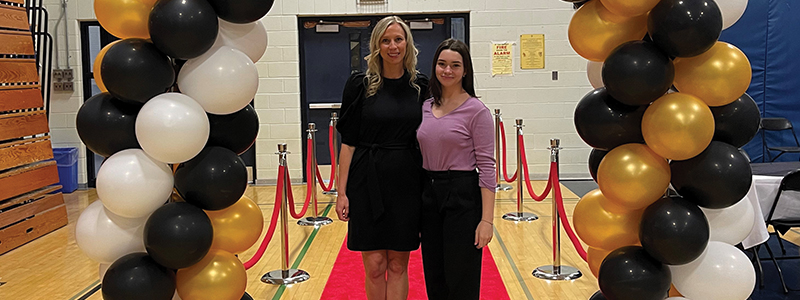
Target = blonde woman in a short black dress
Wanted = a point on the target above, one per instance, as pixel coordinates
(380, 164)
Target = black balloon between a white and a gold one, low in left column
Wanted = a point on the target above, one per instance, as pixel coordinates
(178, 235)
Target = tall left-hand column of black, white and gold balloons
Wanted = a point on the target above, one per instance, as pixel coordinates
(148, 241)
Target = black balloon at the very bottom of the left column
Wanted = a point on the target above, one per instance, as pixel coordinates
(137, 276)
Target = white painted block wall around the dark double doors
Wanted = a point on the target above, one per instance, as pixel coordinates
(545, 105)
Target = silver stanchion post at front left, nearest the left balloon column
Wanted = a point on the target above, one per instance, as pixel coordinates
(285, 275)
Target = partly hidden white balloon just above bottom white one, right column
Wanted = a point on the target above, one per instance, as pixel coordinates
(732, 224)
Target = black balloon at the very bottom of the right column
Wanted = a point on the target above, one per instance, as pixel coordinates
(629, 273)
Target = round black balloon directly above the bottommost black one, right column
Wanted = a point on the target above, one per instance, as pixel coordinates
(674, 231)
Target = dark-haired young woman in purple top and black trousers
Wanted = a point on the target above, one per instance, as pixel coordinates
(456, 137)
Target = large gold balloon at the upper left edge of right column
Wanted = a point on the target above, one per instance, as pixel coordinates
(594, 31)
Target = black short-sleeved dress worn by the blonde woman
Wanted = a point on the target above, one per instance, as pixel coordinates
(384, 185)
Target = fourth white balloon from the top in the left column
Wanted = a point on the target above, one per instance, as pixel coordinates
(132, 184)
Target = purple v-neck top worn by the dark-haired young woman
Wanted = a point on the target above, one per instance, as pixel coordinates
(461, 140)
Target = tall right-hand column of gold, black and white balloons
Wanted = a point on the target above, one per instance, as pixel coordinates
(669, 107)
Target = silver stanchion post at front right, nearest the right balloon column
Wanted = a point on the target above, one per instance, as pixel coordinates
(556, 271)
